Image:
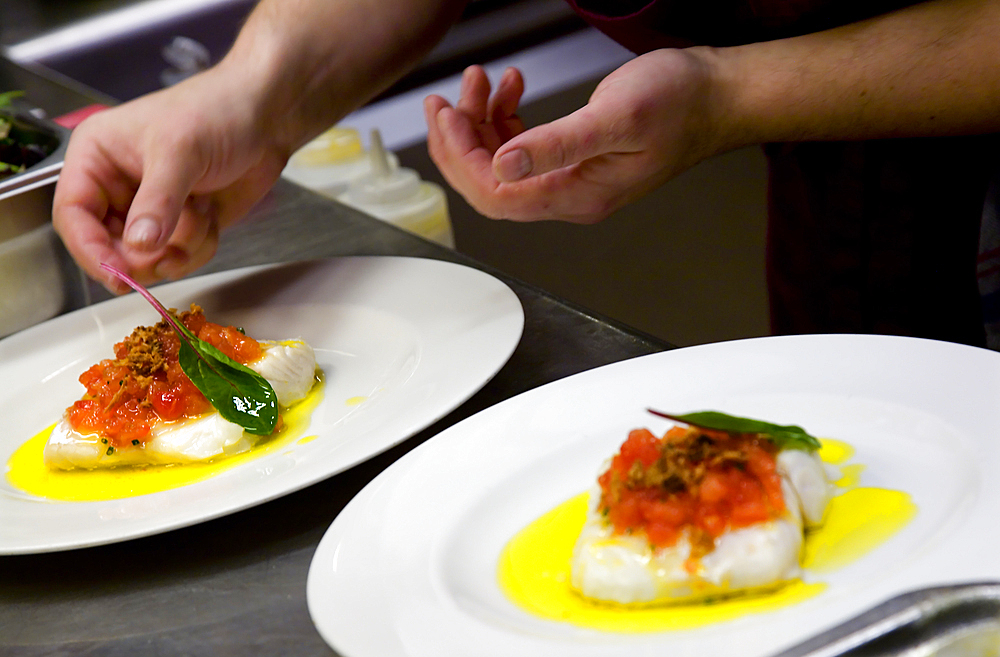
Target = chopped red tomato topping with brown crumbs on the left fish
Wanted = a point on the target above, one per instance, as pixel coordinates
(126, 395)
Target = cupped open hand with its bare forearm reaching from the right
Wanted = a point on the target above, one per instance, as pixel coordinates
(931, 69)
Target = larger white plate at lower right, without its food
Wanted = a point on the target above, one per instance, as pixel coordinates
(410, 566)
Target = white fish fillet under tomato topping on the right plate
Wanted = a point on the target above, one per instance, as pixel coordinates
(625, 569)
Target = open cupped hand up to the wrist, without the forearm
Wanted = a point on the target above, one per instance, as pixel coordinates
(645, 123)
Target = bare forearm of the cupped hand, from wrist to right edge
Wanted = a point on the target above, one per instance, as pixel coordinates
(929, 70)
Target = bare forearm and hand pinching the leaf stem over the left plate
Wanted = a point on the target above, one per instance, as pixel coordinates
(148, 185)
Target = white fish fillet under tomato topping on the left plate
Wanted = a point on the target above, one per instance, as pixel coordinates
(289, 366)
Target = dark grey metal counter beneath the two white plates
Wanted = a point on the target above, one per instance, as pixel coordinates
(236, 585)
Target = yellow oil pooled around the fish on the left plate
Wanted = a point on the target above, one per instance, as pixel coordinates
(27, 472)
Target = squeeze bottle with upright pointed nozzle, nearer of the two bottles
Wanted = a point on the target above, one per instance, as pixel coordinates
(400, 197)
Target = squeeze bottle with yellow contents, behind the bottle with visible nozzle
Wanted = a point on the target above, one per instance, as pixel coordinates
(330, 162)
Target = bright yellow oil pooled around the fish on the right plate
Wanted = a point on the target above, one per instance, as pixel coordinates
(534, 567)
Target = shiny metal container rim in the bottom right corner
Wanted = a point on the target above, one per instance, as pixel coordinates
(947, 621)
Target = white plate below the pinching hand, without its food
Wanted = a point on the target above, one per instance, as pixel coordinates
(400, 342)
